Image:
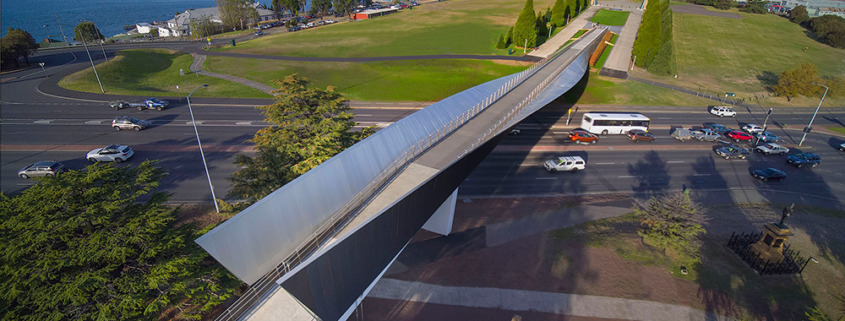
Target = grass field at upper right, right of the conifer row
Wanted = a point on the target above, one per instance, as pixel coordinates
(745, 56)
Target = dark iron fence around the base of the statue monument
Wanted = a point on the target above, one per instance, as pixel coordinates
(792, 262)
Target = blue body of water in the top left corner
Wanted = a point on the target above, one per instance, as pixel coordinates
(38, 17)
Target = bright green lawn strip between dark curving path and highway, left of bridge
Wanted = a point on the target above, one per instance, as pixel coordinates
(413, 80)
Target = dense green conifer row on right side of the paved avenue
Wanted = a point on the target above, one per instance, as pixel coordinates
(654, 48)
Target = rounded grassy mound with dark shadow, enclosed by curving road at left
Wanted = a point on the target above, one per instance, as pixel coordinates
(153, 72)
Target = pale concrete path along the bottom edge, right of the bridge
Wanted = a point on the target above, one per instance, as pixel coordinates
(521, 300)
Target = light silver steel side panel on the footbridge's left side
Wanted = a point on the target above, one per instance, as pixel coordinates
(253, 247)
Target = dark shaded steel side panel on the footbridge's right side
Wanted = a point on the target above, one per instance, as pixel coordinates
(376, 243)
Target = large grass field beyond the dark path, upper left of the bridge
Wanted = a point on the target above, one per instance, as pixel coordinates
(449, 27)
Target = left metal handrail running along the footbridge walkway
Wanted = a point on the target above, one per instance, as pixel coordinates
(345, 213)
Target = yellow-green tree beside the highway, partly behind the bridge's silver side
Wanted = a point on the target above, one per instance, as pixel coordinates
(308, 126)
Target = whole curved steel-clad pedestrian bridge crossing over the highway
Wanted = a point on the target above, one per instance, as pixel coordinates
(312, 249)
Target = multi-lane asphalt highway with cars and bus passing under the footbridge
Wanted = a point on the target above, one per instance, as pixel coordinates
(37, 127)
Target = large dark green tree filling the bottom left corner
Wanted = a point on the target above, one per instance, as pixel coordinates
(101, 245)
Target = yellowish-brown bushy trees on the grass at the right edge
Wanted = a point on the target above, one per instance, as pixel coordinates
(799, 82)
